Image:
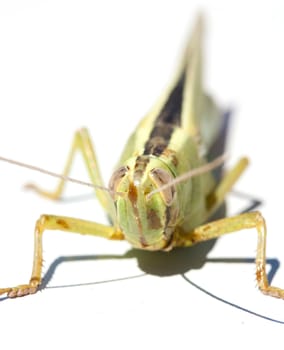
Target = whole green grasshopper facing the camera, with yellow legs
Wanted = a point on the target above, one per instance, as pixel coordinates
(163, 191)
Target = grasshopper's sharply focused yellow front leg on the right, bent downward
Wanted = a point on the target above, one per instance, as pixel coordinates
(228, 225)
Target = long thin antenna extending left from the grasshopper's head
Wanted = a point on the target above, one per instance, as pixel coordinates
(59, 176)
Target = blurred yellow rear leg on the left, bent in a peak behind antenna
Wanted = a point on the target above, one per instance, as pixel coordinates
(82, 142)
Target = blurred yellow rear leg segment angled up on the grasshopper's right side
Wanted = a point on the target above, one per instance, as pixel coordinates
(216, 198)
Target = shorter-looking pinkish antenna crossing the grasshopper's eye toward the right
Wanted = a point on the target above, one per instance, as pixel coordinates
(191, 173)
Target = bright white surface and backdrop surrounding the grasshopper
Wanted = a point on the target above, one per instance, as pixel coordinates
(66, 64)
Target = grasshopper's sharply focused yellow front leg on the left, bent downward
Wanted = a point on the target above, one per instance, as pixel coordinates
(52, 222)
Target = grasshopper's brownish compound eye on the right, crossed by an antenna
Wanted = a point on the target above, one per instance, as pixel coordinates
(161, 177)
